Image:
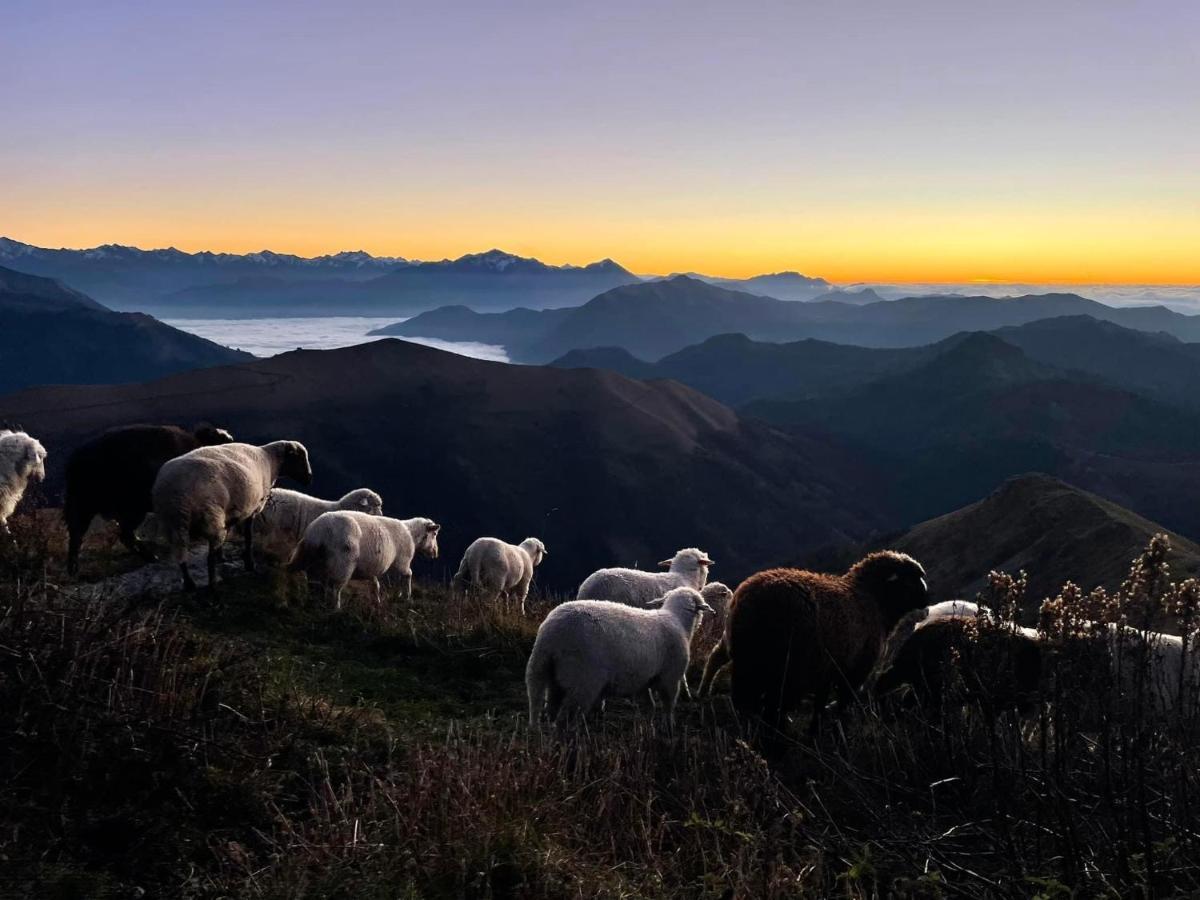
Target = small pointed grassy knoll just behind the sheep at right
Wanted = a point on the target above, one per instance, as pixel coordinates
(1053, 531)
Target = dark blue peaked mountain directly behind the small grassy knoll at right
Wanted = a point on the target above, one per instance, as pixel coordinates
(949, 430)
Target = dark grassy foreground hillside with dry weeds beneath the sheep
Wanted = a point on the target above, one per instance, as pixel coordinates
(260, 745)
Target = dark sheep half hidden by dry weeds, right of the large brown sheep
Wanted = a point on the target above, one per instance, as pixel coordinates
(1000, 665)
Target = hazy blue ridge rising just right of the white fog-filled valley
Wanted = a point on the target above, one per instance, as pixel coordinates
(655, 320)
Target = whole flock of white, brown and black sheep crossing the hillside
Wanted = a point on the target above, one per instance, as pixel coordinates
(788, 637)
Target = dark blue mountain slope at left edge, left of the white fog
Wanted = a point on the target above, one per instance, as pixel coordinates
(51, 334)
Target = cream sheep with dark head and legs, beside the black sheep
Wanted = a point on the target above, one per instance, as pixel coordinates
(207, 493)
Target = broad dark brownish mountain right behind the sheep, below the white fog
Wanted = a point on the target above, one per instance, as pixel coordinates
(605, 470)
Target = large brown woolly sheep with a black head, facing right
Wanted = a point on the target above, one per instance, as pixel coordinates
(794, 633)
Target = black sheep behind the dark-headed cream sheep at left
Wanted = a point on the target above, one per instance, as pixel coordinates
(113, 475)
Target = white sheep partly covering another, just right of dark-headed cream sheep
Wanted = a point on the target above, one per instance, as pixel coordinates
(344, 545)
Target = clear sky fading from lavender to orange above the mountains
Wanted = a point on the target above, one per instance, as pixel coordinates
(922, 141)
